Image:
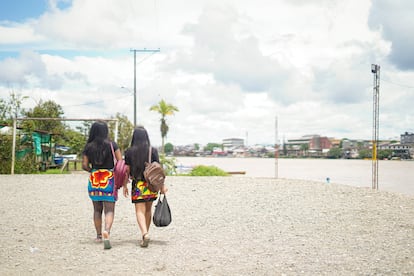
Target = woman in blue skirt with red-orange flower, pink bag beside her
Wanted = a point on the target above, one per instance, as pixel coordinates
(99, 161)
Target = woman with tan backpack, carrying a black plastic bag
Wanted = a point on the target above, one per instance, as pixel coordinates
(141, 196)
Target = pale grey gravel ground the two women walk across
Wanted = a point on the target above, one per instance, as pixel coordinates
(221, 226)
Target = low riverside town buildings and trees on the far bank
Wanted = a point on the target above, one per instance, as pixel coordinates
(307, 146)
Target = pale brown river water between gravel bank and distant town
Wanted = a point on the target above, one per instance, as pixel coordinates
(393, 176)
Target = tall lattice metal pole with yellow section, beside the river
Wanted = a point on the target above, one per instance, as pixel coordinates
(375, 69)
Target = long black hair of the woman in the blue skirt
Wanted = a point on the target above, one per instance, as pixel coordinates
(98, 143)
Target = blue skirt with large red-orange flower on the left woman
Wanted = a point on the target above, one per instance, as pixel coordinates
(101, 185)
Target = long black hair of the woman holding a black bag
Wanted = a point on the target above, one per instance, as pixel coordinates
(139, 150)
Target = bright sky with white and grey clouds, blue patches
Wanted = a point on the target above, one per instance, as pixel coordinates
(231, 66)
